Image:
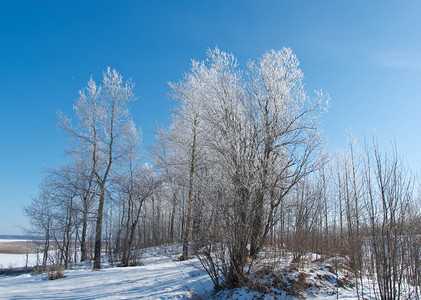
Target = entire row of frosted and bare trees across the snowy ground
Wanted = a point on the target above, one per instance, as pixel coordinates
(241, 167)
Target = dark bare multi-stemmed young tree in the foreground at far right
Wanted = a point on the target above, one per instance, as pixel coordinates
(390, 208)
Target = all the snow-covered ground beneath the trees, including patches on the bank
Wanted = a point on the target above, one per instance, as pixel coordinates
(161, 276)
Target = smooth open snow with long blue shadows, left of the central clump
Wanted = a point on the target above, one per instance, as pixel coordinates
(160, 278)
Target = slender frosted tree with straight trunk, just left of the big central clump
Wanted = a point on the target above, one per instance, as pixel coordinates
(187, 137)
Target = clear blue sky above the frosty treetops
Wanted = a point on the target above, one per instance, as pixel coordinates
(366, 54)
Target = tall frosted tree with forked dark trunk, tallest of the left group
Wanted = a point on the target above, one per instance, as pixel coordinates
(103, 126)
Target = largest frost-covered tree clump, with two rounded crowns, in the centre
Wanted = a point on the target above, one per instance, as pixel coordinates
(257, 134)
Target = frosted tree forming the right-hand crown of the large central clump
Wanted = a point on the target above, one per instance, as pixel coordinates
(285, 121)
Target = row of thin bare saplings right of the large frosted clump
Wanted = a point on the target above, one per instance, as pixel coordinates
(363, 205)
